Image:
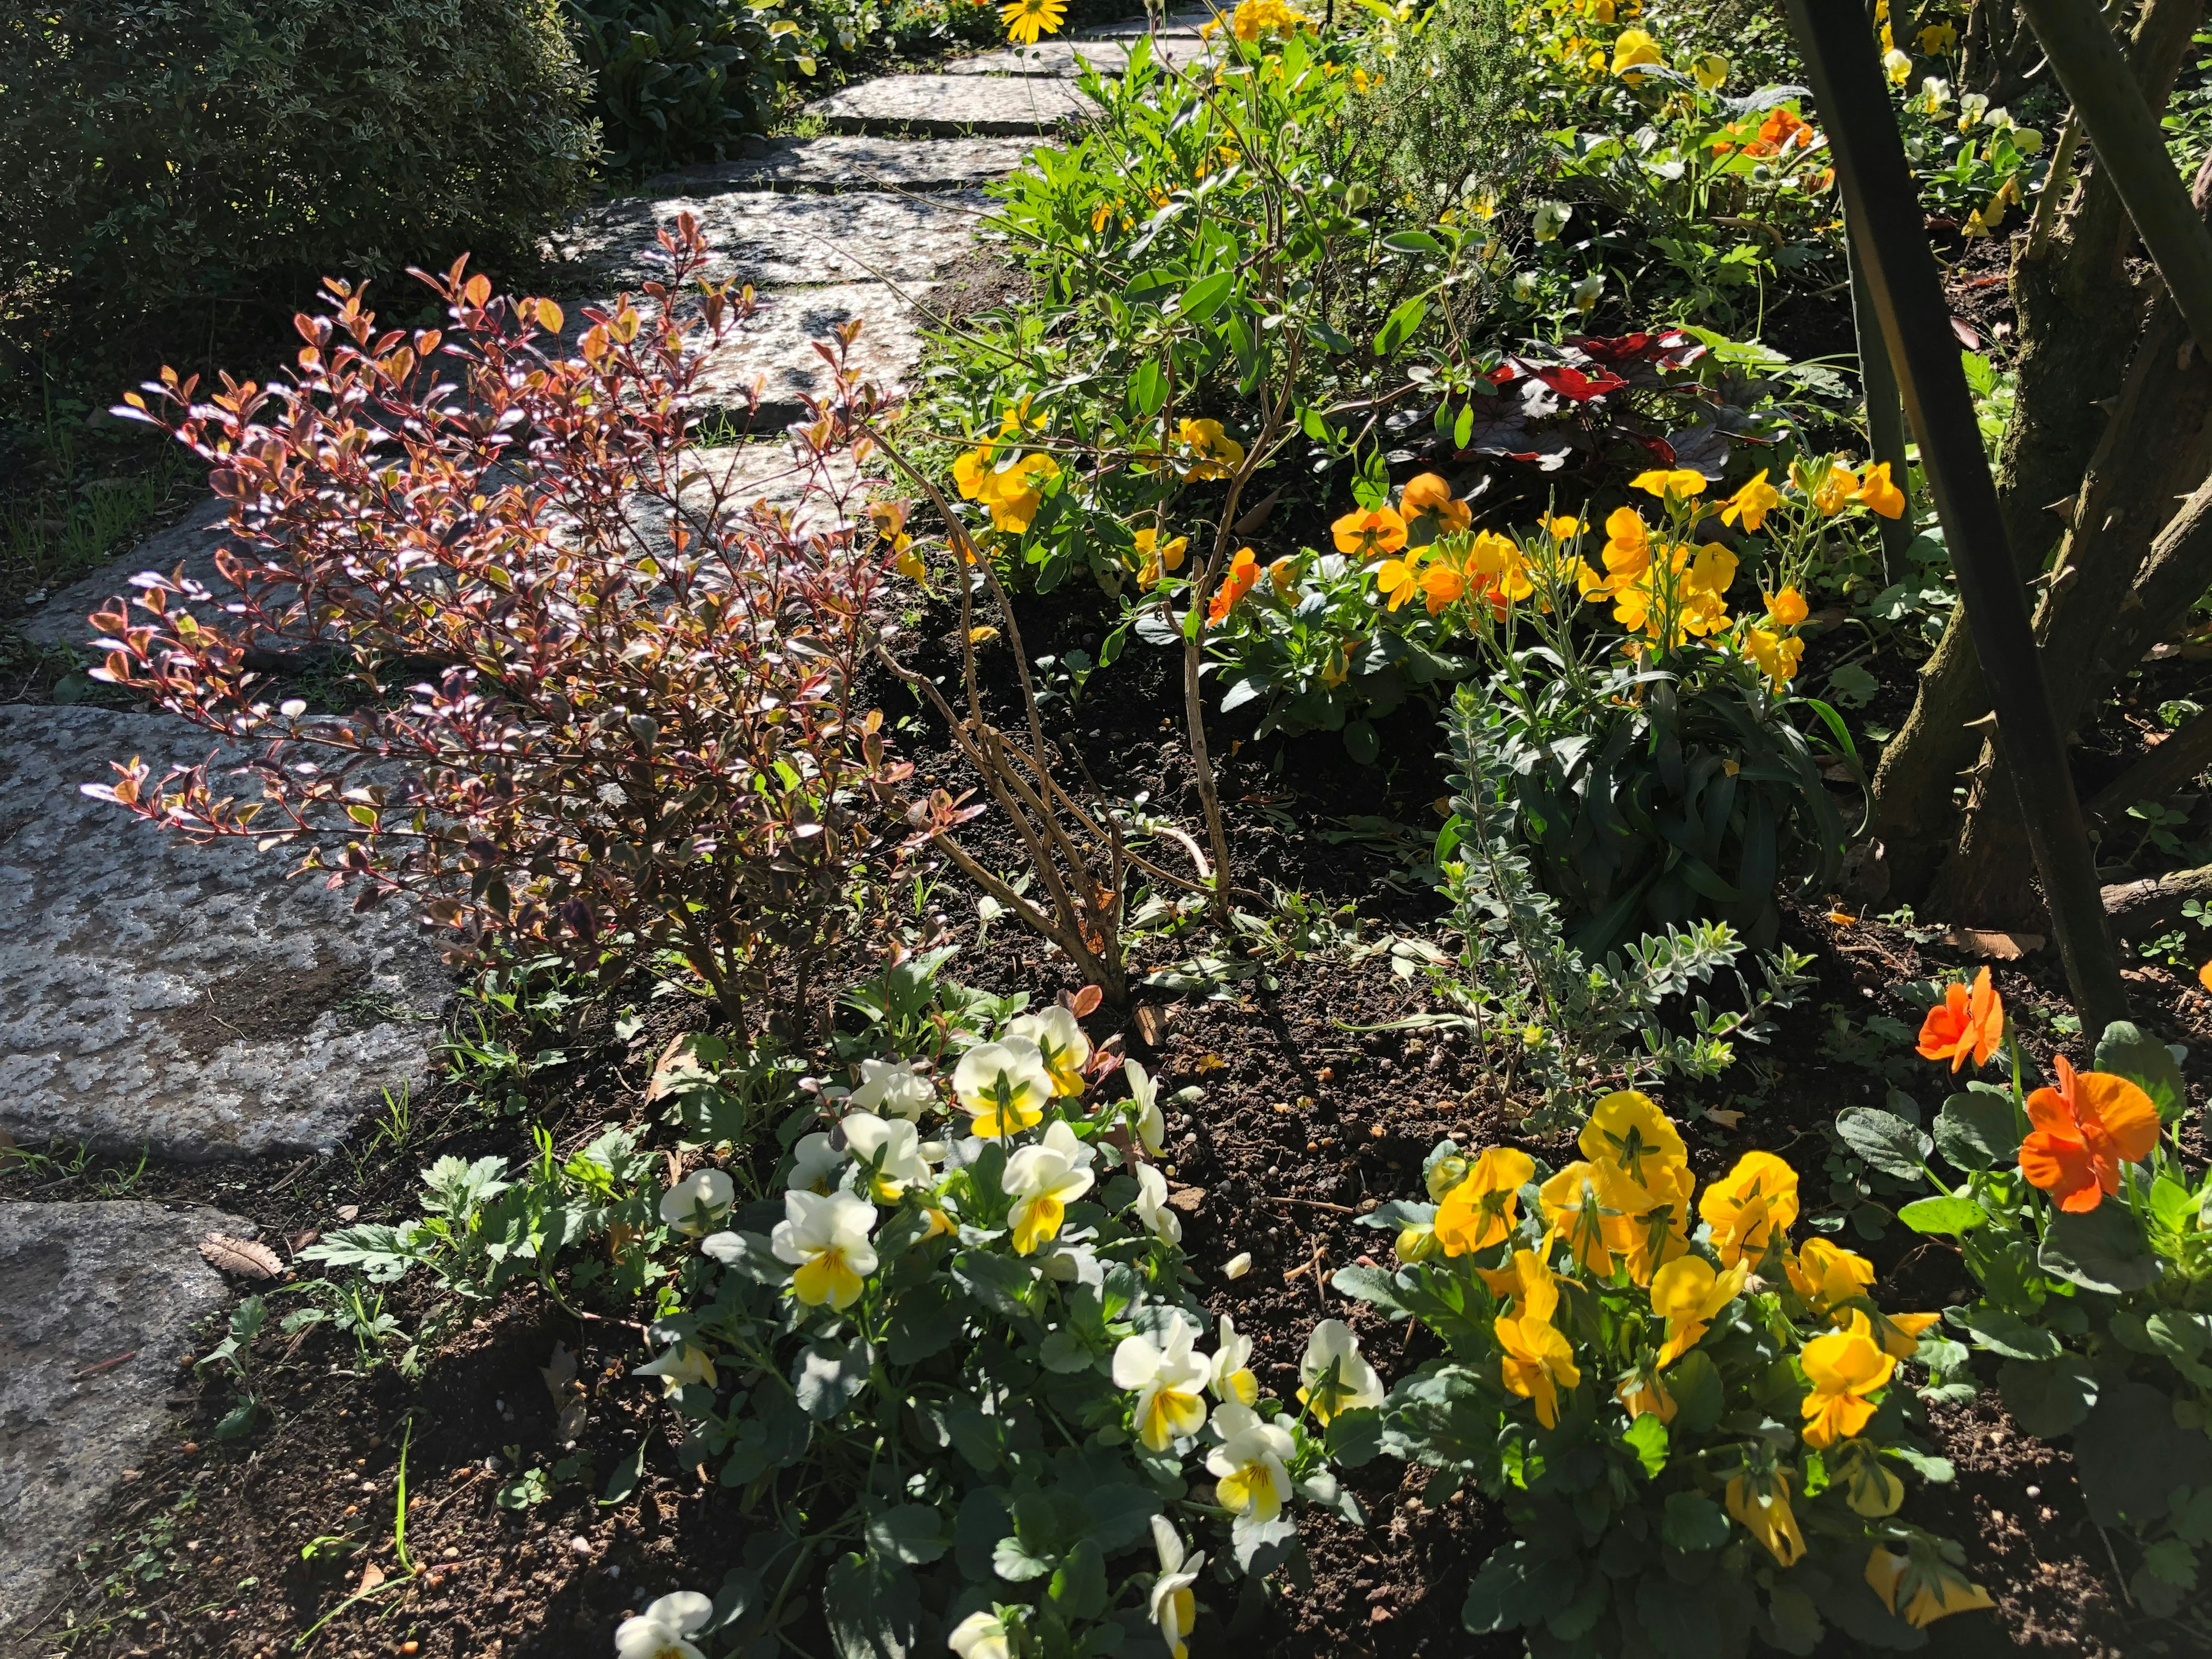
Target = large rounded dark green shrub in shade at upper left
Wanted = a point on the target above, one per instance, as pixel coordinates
(180, 158)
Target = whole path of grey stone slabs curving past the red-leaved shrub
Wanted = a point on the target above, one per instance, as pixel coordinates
(198, 1003)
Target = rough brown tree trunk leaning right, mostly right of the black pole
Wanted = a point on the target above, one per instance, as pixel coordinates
(2096, 618)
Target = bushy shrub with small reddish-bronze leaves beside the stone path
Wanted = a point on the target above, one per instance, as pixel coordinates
(607, 709)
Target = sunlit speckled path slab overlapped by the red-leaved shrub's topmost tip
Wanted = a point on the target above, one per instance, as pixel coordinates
(780, 240)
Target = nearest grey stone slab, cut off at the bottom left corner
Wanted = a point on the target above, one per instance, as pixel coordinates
(81, 1288)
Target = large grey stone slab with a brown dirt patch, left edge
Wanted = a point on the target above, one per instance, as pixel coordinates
(187, 999)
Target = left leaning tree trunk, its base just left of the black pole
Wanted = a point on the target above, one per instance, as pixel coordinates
(2080, 313)
